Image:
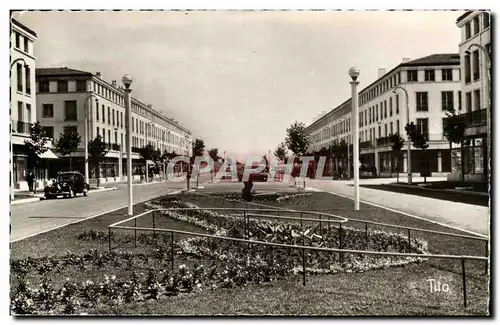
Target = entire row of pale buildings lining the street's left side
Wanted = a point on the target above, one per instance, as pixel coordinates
(60, 97)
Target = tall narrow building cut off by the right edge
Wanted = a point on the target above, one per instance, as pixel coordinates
(475, 40)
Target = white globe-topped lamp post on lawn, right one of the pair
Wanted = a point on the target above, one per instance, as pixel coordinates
(354, 74)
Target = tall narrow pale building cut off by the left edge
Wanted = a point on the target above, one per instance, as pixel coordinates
(23, 104)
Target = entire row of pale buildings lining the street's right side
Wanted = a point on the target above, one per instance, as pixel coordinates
(435, 84)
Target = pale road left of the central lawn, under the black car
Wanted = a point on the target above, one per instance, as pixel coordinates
(35, 217)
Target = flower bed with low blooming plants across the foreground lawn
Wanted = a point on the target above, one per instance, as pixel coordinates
(233, 264)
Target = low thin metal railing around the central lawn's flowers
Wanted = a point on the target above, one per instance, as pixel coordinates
(118, 225)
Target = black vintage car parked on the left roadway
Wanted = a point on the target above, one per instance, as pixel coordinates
(68, 184)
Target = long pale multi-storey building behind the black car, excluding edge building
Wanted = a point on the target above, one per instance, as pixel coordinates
(65, 95)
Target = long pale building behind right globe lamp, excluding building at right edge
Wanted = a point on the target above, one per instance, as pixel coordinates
(432, 84)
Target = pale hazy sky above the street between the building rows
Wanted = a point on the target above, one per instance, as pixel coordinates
(238, 79)
